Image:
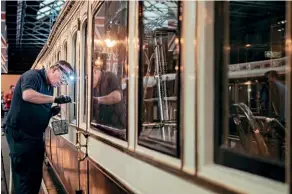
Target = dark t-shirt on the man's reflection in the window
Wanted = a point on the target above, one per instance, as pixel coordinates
(111, 115)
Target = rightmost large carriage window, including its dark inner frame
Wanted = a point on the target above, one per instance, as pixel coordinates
(251, 137)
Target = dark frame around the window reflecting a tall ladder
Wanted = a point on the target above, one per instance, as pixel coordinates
(176, 152)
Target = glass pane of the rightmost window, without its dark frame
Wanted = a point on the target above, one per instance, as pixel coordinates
(257, 89)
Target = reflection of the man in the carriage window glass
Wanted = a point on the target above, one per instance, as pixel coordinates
(107, 97)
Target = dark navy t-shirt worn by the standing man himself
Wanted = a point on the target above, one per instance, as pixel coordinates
(31, 119)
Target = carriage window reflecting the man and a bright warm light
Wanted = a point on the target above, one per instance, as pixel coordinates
(109, 69)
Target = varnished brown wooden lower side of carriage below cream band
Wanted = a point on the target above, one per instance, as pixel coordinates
(93, 178)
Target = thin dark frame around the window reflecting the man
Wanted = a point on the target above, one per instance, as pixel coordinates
(110, 131)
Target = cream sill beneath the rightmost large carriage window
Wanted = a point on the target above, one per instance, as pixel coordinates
(241, 181)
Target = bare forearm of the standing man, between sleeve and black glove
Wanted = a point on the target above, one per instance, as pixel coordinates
(32, 96)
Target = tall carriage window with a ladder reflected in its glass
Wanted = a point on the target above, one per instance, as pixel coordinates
(159, 76)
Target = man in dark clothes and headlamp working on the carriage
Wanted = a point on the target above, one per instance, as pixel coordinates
(28, 119)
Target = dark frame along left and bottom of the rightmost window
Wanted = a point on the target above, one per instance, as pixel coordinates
(256, 165)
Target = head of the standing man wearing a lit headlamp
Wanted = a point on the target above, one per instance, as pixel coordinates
(60, 73)
